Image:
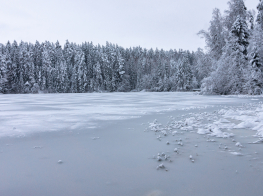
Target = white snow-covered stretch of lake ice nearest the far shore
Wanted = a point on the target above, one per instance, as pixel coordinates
(23, 114)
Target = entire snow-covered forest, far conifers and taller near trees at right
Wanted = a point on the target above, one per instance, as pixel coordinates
(230, 64)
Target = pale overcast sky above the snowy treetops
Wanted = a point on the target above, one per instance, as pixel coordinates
(149, 23)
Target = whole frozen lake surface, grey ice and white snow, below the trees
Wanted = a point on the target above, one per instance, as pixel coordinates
(131, 144)
